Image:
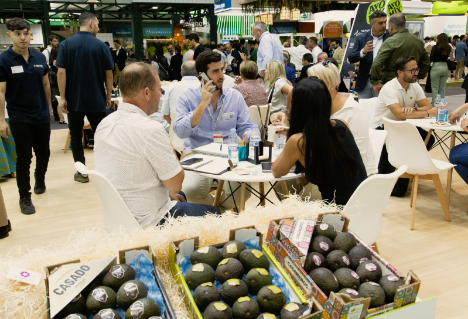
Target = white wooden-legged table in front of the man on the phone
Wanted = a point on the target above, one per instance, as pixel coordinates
(261, 178)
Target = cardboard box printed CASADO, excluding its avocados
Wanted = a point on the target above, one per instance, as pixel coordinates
(66, 281)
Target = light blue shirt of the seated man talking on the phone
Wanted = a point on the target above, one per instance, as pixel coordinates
(234, 114)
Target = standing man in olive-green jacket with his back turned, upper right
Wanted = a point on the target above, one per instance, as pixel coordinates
(400, 44)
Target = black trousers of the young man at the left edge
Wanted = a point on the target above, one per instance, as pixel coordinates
(28, 137)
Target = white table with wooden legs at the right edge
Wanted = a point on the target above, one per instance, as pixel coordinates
(450, 132)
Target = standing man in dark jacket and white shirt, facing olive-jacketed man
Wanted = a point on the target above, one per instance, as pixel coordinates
(365, 50)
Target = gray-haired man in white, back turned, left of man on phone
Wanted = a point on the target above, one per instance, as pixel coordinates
(172, 92)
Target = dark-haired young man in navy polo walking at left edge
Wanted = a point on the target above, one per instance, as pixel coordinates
(24, 85)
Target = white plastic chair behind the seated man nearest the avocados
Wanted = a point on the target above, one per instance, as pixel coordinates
(114, 210)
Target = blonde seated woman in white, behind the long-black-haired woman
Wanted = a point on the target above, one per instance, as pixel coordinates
(344, 107)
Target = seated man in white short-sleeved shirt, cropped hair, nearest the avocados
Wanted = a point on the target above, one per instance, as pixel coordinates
(135, 154)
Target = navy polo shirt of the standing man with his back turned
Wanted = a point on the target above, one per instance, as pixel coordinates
(86, 60)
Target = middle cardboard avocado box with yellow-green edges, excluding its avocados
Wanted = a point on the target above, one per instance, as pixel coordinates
(179, 250)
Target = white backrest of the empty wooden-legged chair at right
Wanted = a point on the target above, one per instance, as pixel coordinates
(406, 147)
